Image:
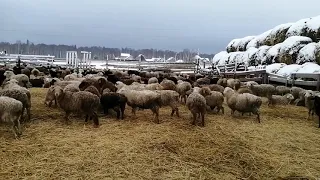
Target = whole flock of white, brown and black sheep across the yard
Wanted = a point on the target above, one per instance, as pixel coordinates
(93, 92)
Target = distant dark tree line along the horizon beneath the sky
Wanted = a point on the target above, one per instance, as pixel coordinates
(98, 52)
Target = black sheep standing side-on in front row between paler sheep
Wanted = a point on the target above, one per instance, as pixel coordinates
(114, 101)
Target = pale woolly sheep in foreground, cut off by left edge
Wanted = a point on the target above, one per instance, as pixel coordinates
(10, 112)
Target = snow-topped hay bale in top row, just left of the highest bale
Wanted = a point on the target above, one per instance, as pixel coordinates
(278, 34)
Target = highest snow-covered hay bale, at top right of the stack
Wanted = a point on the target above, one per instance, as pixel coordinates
(309, 27)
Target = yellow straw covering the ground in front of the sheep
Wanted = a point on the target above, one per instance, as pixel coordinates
(284, 144)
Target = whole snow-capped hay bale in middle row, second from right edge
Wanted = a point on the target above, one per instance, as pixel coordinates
(290, 48)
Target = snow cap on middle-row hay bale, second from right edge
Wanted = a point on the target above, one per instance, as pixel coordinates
(293, 44)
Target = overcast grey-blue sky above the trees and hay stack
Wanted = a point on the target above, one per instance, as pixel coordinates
(163, 24)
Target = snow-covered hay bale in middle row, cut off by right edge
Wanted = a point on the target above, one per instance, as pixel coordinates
(309, 53)
